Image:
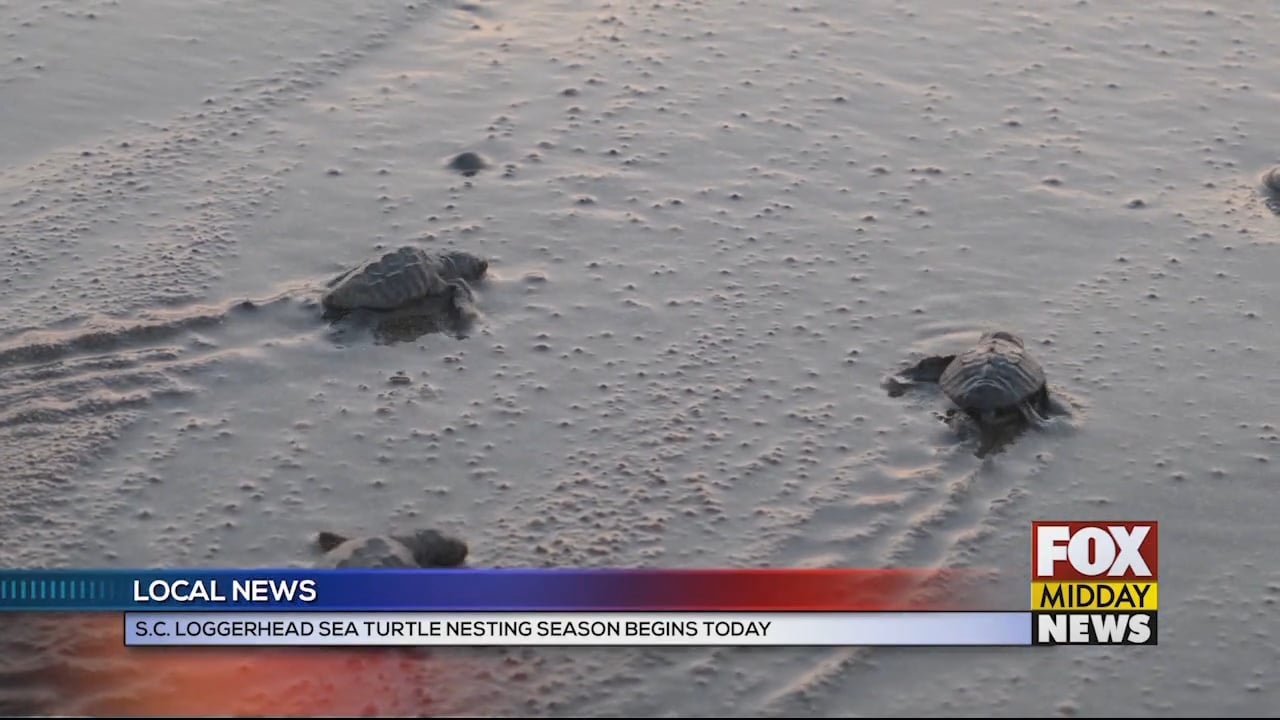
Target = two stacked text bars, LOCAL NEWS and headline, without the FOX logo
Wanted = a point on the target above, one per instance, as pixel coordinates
(520, 608)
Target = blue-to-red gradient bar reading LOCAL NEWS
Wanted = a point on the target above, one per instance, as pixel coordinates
(493, 590)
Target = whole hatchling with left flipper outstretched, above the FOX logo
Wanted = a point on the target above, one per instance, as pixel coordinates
(996, 384)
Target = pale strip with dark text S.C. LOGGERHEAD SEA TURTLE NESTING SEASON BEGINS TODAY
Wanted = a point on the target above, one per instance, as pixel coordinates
(967, 628)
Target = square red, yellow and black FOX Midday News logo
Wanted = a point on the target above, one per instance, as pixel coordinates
(1095, 582)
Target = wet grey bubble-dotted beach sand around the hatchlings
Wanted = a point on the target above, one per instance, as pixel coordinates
(714, 230)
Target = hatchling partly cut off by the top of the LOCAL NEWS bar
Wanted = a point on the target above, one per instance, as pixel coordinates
(423, 549)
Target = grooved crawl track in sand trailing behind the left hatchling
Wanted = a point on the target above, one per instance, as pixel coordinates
(66, 395)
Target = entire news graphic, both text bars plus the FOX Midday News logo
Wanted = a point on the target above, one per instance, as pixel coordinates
(1092, 584)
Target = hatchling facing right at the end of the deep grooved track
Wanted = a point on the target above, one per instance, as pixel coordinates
(404, 276)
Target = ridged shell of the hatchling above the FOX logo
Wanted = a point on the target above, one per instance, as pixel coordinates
(995, 375)
